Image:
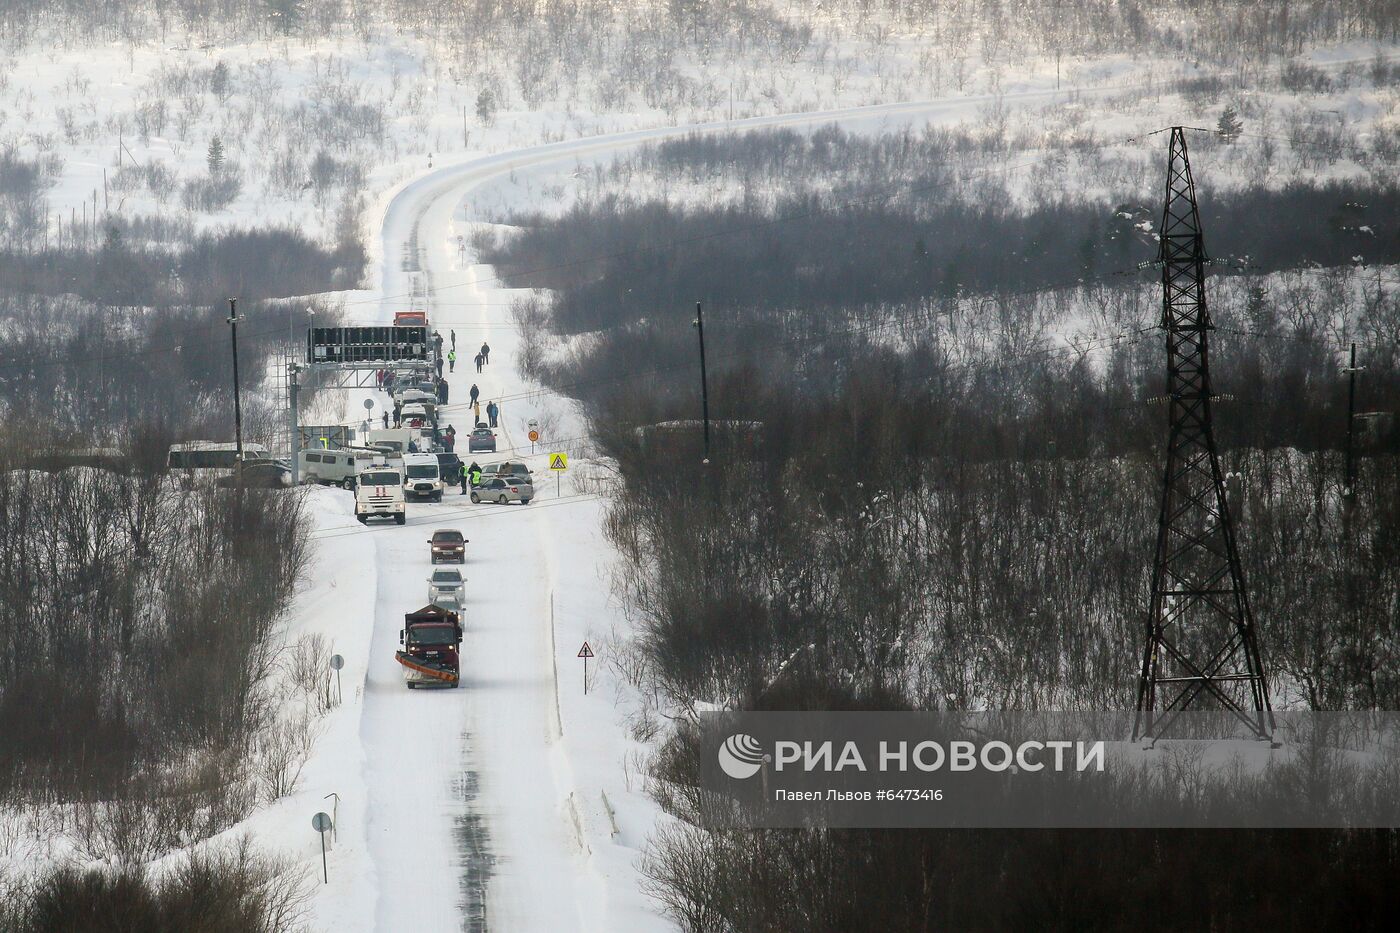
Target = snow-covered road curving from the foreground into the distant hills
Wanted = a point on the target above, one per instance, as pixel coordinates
(481, 812)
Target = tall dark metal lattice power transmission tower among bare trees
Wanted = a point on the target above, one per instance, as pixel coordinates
(1202, 652)
